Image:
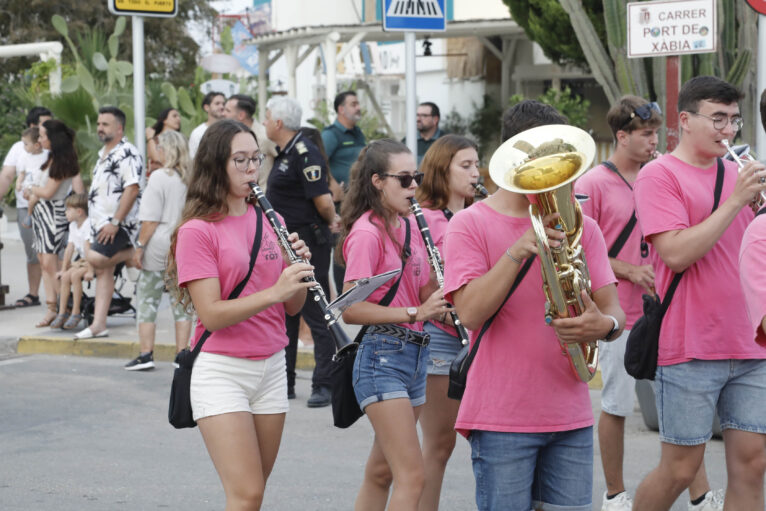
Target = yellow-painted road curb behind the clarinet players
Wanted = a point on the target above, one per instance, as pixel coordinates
(115, 348)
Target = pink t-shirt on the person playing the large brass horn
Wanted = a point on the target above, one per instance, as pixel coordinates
(519, 381)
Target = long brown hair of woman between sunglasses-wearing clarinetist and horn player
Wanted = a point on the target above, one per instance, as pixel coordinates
(434, 192)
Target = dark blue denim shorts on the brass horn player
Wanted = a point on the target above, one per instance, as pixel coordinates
(524, 471)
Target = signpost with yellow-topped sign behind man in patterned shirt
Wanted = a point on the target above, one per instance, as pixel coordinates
(137, 10)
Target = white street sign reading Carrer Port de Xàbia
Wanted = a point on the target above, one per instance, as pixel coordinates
(671, 28)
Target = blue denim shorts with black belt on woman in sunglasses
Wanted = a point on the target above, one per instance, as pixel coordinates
(389, 368)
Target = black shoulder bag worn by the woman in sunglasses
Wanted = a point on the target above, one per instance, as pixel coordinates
(345, 408)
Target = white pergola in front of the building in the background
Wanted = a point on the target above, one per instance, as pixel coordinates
(296, 44)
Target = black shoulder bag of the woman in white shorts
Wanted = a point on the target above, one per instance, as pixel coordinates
(179, 410)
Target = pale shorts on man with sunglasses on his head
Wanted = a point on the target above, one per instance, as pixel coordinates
(618, 394)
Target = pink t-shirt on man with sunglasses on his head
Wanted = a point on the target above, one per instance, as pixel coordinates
(611, 206)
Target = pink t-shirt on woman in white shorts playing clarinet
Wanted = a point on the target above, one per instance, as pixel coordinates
(221, 250)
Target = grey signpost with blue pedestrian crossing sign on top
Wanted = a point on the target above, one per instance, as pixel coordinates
(409, 17)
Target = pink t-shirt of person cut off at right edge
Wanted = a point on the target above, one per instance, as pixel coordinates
(752, 275)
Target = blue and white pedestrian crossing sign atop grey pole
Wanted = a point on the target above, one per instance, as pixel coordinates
(414, 16)
